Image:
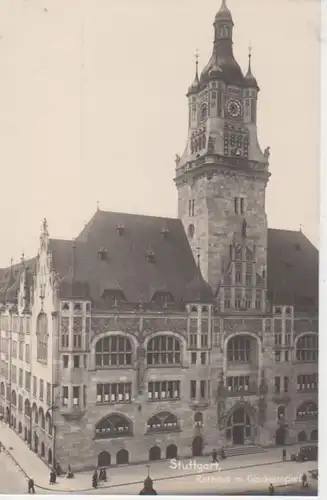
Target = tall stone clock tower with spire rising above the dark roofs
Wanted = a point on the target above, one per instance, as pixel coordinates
(222, 175)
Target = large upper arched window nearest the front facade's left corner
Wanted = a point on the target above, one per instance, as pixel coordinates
(114, 350)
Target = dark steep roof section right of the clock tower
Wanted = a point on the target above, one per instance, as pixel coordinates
(292, 266)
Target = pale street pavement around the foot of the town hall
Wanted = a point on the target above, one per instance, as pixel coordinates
(186, 476)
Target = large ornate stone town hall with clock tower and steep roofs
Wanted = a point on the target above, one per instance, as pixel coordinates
(148, 337)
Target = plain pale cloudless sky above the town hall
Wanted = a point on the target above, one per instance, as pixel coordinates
(93, 108)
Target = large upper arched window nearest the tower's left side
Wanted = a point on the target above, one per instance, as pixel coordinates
(164, 350)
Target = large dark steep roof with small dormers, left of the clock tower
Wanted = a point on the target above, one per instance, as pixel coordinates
(141, 255)
